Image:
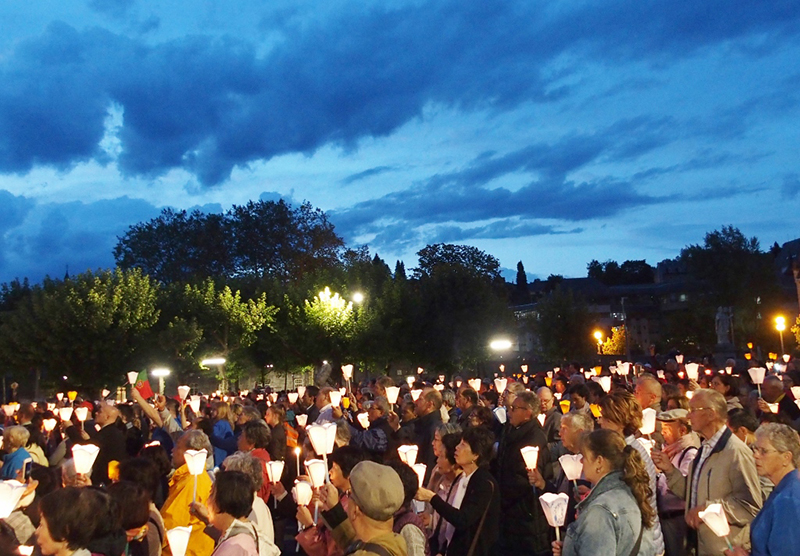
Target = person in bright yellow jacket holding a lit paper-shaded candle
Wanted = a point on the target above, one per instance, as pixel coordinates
(176, 509)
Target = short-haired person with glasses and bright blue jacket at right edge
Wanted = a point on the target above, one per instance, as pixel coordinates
(774, 531)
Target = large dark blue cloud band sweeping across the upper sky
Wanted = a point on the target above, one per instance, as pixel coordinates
(208, 105)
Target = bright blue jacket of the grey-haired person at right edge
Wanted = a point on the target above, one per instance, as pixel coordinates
(775, 531)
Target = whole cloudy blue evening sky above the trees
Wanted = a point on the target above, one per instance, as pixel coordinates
(548, 132)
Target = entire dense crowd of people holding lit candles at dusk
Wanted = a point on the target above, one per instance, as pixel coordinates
(419, 468)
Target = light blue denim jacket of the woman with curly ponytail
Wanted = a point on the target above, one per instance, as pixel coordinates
(608, 522)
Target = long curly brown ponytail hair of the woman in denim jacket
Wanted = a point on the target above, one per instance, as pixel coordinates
(621, 457)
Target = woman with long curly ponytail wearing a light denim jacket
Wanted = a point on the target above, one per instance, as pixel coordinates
(615, 517)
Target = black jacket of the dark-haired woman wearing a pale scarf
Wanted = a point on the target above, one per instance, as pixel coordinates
(482, 493)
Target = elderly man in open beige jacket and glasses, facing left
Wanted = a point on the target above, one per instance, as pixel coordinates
(723, 471)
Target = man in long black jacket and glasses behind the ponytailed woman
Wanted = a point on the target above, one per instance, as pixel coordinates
(523, 527)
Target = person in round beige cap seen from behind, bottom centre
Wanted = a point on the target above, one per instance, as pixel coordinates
(365, 527)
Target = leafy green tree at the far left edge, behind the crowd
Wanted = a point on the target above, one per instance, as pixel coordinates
(91, 328)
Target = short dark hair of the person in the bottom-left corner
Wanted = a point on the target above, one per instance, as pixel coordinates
(75, 515)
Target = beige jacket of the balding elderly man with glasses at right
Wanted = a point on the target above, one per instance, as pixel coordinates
(728, 477)
